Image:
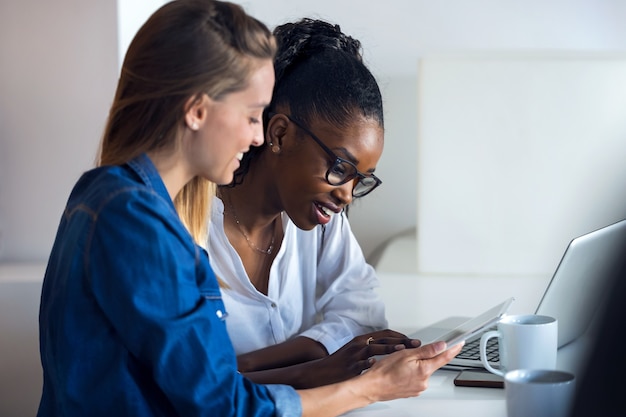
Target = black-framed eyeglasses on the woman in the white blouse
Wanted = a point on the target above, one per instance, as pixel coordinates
(342, 171)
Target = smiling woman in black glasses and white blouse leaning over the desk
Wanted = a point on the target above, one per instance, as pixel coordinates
(295, 281)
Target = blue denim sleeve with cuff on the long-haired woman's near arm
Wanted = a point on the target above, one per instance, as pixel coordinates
(157, 290)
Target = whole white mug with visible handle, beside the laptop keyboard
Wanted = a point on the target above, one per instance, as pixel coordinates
(527, 341)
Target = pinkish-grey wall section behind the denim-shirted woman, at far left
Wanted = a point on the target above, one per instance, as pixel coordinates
(58, 68)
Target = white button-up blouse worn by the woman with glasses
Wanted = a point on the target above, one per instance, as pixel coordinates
(320, 287)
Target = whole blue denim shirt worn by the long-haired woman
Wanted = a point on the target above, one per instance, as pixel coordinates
(131, 318)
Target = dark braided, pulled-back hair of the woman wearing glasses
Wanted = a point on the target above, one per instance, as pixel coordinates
(320, 74)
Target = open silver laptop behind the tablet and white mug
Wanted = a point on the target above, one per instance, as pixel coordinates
(575, 296)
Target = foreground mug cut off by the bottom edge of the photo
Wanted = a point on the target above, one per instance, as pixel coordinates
(538, 393)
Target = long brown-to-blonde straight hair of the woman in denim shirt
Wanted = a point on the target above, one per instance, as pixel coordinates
(185, 49)
